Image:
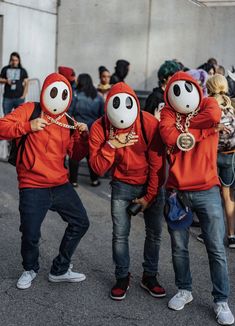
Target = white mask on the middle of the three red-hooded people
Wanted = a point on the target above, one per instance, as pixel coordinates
(122, 110)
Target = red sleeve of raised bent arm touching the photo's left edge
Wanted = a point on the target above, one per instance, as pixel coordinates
(16, 123)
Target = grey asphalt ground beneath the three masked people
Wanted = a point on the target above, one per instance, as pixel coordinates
(88, 303)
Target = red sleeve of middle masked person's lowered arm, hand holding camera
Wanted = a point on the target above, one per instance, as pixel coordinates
(156, 158)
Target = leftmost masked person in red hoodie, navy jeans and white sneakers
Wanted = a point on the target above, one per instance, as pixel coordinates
(43, 178)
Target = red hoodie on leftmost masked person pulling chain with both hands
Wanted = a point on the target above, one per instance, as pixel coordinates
(42, 163)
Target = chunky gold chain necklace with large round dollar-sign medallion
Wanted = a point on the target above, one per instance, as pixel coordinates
(185, 141)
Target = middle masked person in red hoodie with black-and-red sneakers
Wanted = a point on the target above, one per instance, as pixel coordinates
(128, 142)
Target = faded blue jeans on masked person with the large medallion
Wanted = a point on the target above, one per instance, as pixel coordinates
(207, 205)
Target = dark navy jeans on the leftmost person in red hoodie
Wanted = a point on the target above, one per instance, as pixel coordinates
(34, 204)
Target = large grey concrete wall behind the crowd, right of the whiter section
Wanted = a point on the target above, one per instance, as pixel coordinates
(144, 32)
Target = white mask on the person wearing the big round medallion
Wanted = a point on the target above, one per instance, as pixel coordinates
(183, 96)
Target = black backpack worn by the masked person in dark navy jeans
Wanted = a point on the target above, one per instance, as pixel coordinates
(15, 147)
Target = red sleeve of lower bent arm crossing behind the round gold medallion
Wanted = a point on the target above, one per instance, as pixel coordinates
(170, 133)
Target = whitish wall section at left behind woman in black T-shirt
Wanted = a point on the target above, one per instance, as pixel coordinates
(29, 27)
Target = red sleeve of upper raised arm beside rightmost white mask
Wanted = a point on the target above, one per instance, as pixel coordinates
(209, 115)
